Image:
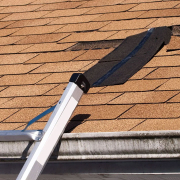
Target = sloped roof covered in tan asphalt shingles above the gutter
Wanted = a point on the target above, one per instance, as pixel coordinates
(37, 38)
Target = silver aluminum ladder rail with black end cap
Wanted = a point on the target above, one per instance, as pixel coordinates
(52, 131)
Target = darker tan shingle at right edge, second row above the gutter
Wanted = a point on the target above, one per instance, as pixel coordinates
(169, 110)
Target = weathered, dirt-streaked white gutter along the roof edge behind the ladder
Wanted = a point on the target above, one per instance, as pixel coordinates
(103, 146)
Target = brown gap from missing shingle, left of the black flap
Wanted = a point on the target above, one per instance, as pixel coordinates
(105, 44)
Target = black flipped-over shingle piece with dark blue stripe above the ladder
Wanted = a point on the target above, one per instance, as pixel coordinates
(128, 58)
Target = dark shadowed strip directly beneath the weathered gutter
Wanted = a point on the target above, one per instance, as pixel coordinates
(99, 166)
